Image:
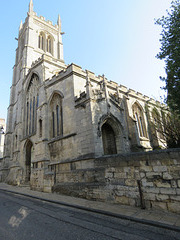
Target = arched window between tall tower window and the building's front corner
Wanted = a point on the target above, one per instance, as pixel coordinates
(56, 117)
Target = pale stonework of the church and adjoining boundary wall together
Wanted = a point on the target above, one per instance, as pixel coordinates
(74, 132)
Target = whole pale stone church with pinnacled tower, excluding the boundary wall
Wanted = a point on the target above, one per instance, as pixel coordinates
(61, 113)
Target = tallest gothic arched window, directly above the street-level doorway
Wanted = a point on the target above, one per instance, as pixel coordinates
(31, 105)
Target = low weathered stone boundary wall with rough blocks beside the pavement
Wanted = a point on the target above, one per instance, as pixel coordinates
(150, 180)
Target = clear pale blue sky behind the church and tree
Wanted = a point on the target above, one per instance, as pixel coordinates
(117, 38)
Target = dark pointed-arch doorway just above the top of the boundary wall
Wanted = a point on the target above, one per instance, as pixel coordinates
(109, 139)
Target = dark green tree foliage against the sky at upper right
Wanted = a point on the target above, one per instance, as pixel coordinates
(170, 52)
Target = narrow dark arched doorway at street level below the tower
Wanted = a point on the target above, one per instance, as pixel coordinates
(29, 149)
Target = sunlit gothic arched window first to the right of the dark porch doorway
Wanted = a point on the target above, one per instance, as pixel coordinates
(139, 117)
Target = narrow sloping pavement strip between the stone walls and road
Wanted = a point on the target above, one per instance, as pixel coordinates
(157, 218)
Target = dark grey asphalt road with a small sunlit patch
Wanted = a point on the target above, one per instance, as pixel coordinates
(23, 218)
